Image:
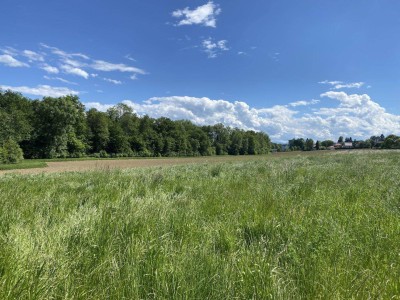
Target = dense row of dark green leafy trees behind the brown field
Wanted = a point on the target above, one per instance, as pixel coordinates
(62, 127)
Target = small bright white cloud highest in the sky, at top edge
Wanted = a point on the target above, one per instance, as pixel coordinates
(203, 15)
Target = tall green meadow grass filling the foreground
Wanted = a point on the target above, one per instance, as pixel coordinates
(296, 227)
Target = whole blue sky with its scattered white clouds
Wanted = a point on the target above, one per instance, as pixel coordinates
(315, 69)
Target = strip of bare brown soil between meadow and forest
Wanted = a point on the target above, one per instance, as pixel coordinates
(108, 164)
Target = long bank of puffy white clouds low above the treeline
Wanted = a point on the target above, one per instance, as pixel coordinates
(355, 115)
